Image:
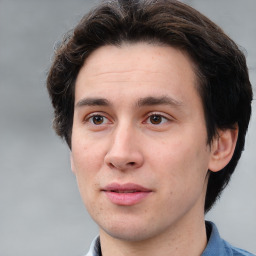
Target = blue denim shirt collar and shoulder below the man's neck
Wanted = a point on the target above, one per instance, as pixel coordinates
(216, 246)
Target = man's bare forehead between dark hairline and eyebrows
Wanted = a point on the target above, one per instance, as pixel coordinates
(153, 69)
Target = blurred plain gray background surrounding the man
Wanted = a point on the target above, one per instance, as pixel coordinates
(40, 208)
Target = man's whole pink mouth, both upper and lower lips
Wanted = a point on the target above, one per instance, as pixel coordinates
(126, 194)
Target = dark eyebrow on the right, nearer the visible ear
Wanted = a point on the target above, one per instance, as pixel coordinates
(164, 100)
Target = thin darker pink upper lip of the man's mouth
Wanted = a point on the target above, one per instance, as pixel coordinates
(127, 187)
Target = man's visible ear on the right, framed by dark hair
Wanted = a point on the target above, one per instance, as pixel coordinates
(222, 148)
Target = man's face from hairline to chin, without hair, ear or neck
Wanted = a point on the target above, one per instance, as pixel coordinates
(139, 148)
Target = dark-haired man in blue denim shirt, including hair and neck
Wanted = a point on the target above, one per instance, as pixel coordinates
(154, 101)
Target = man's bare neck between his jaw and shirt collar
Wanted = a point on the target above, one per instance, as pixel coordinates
(186, 239)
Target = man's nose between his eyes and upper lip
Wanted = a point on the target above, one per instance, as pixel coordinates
(124, 151)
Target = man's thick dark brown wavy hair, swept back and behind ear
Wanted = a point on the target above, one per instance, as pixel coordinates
(222, 80)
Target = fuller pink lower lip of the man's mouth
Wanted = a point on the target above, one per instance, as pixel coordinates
(126, 198)
